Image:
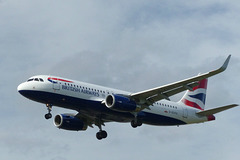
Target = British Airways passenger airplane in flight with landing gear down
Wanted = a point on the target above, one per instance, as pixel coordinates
(97, 105)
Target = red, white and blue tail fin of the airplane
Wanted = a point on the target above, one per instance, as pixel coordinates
(197, 97)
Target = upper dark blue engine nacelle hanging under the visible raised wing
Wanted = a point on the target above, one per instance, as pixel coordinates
(121, 103)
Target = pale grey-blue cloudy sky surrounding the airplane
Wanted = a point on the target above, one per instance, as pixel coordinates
(129, 45)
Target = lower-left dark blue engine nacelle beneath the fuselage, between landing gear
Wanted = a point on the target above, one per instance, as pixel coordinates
(69, 122)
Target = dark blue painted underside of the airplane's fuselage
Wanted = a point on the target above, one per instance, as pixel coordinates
(96, 109)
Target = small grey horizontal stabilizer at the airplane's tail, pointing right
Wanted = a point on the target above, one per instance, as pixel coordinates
(215, 110)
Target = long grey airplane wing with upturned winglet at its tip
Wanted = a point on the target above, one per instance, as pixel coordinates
(148, 97)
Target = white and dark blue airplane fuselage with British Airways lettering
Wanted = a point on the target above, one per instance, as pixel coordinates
(88, 99)
